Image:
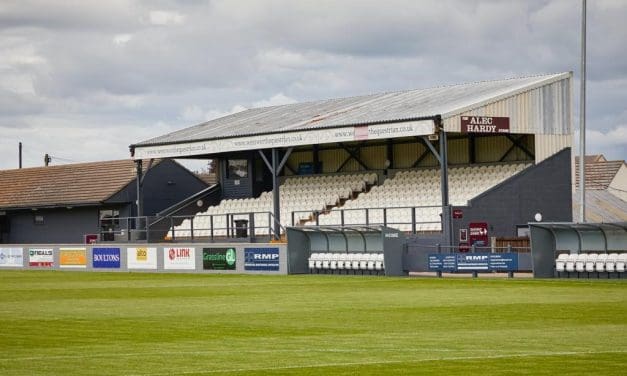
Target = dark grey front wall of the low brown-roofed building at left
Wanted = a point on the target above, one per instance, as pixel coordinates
(61, 225)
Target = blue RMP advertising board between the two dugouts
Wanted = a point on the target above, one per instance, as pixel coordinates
(480, 262)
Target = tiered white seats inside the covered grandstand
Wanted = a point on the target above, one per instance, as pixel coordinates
(349, 195)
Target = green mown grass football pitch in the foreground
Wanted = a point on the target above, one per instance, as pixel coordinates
(70, 323)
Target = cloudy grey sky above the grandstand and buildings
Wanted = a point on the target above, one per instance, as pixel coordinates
(82, 80)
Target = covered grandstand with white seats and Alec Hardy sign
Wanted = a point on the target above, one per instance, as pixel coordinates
(405, 160)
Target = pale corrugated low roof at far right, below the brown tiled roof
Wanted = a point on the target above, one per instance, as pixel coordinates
(601, 206)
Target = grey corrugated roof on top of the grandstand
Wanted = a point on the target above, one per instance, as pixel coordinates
(367, 109)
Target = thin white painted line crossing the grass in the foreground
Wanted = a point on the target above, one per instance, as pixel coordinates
(504, 356)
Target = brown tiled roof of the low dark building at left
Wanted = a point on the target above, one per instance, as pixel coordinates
(64, 185)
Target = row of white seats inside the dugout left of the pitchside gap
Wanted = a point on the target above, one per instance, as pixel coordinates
(350, 262)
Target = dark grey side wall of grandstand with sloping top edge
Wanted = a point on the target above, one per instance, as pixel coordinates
(544, 188)
